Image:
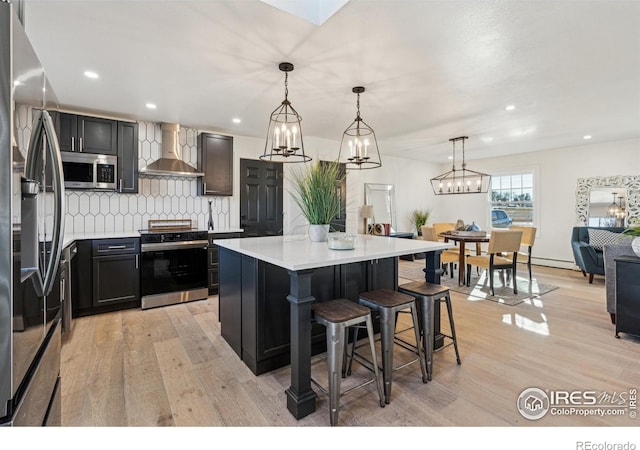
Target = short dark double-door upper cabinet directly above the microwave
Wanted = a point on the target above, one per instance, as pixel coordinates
(87, 134)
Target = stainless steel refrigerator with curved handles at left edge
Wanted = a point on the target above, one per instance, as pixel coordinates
(31, 235)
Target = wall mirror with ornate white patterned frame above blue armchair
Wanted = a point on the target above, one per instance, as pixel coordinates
(595, 204)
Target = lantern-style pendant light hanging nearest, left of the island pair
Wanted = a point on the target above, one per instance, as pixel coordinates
(284, 135)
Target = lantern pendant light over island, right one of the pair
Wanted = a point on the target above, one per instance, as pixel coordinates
(363, 152)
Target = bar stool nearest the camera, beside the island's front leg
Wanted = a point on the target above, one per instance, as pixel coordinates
(337, 315)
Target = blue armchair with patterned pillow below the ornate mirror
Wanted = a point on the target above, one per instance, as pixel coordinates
(588, 255)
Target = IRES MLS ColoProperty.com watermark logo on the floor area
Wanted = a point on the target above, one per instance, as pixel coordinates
(534, 403)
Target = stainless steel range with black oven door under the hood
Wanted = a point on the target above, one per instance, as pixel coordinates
(174, 263)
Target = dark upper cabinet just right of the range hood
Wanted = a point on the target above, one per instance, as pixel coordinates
(215, 160)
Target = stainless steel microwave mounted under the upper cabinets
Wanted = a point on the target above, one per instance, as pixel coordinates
(89, 171)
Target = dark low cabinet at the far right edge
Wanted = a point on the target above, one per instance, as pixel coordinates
(628, 295)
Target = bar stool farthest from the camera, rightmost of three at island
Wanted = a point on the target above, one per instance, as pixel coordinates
(426, 295)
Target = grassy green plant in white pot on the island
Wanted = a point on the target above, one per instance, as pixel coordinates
(316, 194)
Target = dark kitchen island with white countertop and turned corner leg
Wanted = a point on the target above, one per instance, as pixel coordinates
(267, 286)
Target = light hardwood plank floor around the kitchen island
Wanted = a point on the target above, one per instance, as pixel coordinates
(170, 367)
